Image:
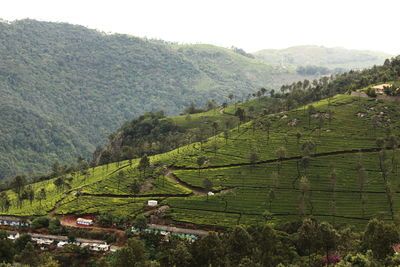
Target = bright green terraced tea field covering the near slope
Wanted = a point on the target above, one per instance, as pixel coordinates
(322, 161)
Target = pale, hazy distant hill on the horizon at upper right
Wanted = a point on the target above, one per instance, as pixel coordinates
(331, 58)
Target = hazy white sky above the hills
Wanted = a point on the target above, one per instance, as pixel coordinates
(250, 24)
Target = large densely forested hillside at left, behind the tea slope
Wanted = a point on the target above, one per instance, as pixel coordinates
(64, 87)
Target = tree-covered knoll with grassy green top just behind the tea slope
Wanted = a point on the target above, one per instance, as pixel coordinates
(153, 133)
